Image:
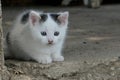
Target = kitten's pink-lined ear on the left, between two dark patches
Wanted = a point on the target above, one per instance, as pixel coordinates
(34, 17)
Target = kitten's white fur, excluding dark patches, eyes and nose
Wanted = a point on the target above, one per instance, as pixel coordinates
(27, 42)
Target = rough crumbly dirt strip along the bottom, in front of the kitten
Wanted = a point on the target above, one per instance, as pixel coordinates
(63, 71)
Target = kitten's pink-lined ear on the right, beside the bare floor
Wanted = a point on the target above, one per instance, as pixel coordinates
(63, 17)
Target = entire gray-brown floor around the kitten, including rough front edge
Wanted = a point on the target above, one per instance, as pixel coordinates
(92, 47)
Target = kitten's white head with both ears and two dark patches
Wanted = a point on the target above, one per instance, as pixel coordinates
(49, 28)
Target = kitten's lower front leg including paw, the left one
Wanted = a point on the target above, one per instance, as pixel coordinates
(44, 59)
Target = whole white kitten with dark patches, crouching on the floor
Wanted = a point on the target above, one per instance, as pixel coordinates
(38, 36)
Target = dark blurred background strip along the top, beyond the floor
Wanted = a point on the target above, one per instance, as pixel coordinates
(57, 2)
